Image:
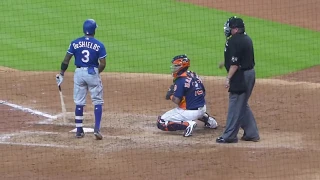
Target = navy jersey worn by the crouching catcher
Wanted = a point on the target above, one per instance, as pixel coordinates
(190, 87)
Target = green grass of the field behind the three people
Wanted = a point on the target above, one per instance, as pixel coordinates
(143, 36)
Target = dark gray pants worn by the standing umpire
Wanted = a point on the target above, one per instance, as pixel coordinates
(239, 112)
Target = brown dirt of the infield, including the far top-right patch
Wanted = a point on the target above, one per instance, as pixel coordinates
(37, 146)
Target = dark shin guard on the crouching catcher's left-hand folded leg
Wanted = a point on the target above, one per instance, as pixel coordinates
(170, 125)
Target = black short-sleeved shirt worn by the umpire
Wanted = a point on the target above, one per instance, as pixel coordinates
(239, 51)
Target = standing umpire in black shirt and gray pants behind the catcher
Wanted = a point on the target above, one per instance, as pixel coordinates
(239, 63)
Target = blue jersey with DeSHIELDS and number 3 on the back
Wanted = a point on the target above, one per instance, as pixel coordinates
(87, 51)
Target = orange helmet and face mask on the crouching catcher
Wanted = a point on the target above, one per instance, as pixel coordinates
(179, 65)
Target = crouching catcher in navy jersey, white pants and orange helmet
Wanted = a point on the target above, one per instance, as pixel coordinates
(188, 93)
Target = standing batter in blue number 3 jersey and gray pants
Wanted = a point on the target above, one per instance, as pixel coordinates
(90, 59)
